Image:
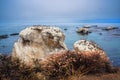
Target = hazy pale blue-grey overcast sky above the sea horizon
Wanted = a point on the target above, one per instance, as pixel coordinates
(40, 9)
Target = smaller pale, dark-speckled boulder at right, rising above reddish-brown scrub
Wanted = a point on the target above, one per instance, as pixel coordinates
(89, 48)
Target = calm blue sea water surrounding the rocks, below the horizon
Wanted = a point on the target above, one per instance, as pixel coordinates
(107, 41)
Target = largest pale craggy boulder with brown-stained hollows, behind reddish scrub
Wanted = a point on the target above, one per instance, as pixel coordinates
(37, 42)
